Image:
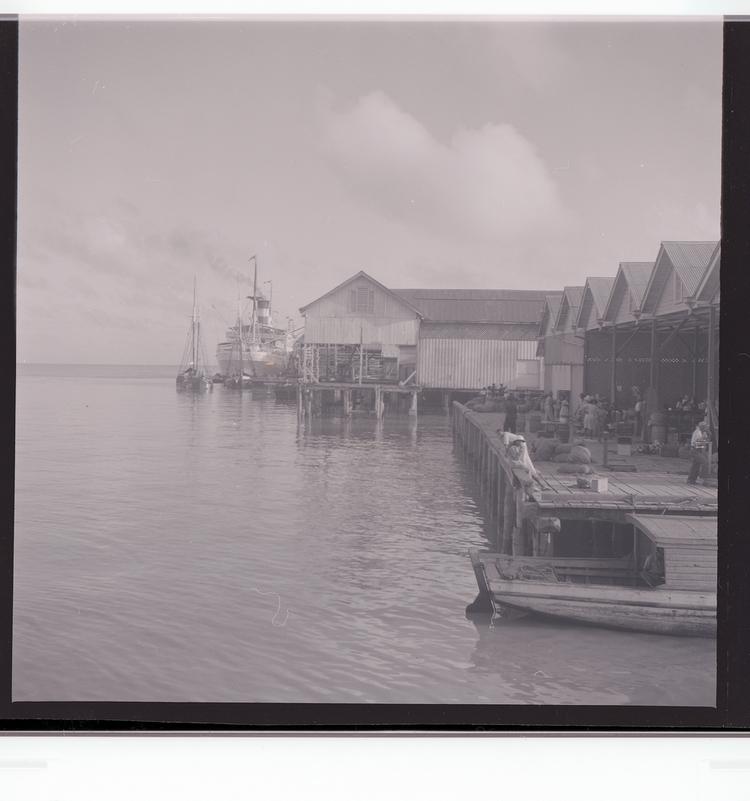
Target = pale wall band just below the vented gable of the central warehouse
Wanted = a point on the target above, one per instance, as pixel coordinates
(348, 330)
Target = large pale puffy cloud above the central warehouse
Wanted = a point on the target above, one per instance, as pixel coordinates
(487, 182)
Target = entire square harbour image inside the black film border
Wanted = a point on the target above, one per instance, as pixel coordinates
(444, 296)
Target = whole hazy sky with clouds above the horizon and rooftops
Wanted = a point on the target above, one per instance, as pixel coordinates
(444, 154)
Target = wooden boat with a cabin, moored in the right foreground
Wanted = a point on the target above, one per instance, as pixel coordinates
(665, 585)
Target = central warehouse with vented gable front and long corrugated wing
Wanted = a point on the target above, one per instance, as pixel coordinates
(439, 339)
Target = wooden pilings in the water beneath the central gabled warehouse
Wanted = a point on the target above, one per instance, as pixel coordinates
(313, 398)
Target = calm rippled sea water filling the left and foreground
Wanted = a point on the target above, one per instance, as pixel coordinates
(178, 548)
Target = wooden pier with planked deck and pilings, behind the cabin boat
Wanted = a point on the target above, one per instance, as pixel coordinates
(523, 510)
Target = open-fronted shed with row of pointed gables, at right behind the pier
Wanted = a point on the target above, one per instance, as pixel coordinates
(658, 335)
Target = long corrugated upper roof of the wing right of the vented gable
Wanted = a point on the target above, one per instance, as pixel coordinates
(476, 305)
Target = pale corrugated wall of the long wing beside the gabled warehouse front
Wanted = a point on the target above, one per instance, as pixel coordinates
(469, 363)
